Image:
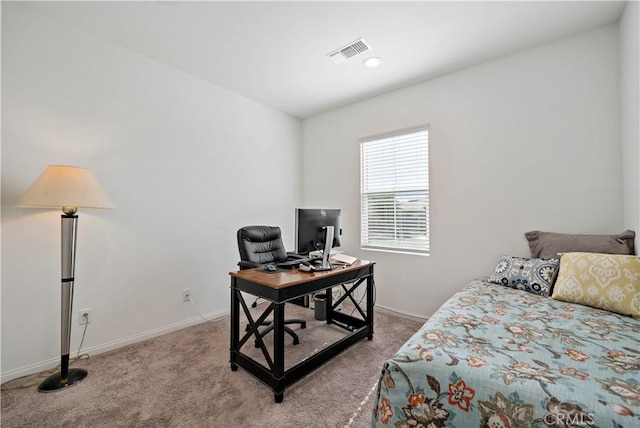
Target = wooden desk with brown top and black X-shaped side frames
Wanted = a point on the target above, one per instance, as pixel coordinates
(280, 287)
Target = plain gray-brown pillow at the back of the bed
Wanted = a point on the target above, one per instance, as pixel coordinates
(549, 244)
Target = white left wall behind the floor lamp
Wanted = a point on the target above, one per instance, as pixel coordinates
(185, 162)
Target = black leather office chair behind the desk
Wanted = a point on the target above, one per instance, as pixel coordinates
(259, 246)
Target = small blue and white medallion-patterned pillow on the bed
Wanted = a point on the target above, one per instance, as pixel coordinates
(533, 275)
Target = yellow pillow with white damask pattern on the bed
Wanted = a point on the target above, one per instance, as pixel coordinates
(606, 281)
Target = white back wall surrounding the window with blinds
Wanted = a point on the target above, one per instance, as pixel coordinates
(530, 141)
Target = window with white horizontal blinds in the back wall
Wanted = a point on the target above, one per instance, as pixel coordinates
(394, 187)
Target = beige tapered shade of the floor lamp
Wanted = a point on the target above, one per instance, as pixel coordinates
(65, 186)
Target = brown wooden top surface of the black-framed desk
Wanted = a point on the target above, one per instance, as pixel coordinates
(290, 277)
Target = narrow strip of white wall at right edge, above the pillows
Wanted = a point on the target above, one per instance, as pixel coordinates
(630, 91)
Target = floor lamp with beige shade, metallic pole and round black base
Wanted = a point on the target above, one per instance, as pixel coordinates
(69, 188)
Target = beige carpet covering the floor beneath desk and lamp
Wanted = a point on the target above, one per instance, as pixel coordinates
(183, 379)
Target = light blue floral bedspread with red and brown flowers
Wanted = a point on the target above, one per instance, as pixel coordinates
(493, 356)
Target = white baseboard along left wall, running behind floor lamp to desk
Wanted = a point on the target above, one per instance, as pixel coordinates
(109, 346)
